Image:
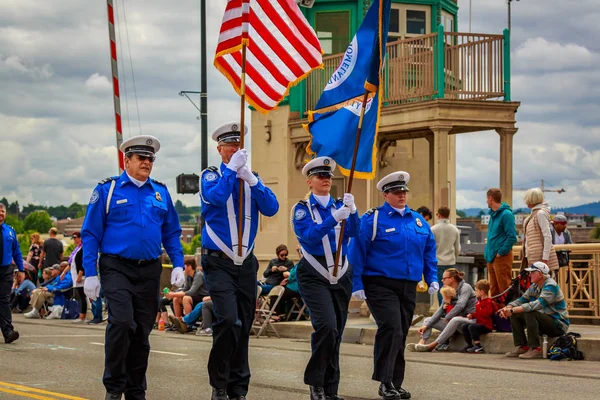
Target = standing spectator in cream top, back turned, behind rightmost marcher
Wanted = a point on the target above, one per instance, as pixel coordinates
(447, 241)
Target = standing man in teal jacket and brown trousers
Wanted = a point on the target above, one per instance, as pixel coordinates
(502, 235)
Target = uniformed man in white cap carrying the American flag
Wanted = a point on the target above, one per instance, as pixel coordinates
(230, 278)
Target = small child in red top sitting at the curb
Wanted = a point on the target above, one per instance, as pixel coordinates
(484, 309)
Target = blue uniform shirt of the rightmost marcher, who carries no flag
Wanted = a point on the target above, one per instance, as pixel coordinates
(403, 248)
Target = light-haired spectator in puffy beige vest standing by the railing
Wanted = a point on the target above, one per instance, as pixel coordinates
(537, 237)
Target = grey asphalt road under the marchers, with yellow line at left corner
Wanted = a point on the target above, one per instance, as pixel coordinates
(60, 360)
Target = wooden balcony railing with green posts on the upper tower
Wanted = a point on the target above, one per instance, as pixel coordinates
(441, 65)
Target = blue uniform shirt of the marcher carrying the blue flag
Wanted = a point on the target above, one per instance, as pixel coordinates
(310, 233)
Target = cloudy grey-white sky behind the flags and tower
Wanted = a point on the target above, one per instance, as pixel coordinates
(56, 110)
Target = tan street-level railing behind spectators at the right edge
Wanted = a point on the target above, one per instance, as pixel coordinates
(580, 281)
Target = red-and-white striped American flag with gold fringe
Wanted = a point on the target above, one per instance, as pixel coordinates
(281, 49)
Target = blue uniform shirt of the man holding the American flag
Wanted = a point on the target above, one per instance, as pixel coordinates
(216, 189)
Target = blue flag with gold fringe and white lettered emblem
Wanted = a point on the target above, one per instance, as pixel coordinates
(334, 122)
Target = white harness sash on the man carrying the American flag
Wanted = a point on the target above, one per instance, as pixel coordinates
(233, 232)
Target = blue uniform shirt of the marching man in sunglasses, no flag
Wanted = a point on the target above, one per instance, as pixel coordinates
(138, 220)
